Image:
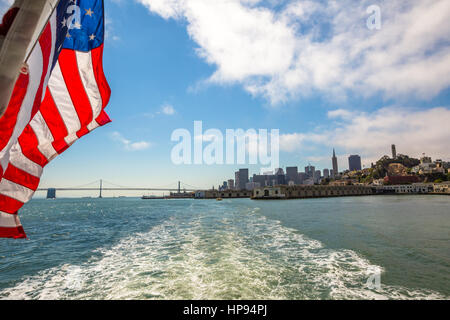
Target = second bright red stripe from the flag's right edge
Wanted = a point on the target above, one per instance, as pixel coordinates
(69, 69)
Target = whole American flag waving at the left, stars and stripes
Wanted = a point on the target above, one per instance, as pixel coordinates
(59, 96)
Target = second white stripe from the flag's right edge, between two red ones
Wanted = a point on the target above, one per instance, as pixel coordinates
(63, 101)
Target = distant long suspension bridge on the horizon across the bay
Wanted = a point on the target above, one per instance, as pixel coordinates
(103, 185)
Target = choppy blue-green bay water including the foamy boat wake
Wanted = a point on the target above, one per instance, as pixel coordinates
(233, 249)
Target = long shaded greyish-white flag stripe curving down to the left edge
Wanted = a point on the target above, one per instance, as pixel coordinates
(35, 72)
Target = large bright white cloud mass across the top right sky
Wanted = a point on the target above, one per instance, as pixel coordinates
(307, 46)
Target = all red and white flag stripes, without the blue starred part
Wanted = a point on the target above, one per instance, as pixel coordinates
(55, 111)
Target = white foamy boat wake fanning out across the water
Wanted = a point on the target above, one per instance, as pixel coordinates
(229, 256)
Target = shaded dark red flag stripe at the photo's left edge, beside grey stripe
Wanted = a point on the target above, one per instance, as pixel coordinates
(9, 119)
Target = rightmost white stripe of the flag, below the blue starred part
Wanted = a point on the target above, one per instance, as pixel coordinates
(86, 69)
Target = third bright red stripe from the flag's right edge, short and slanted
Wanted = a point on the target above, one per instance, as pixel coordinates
(54, 121)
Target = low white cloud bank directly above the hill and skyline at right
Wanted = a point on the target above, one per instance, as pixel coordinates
(370, 134)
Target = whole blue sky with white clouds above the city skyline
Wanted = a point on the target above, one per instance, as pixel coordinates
(309, 68)
